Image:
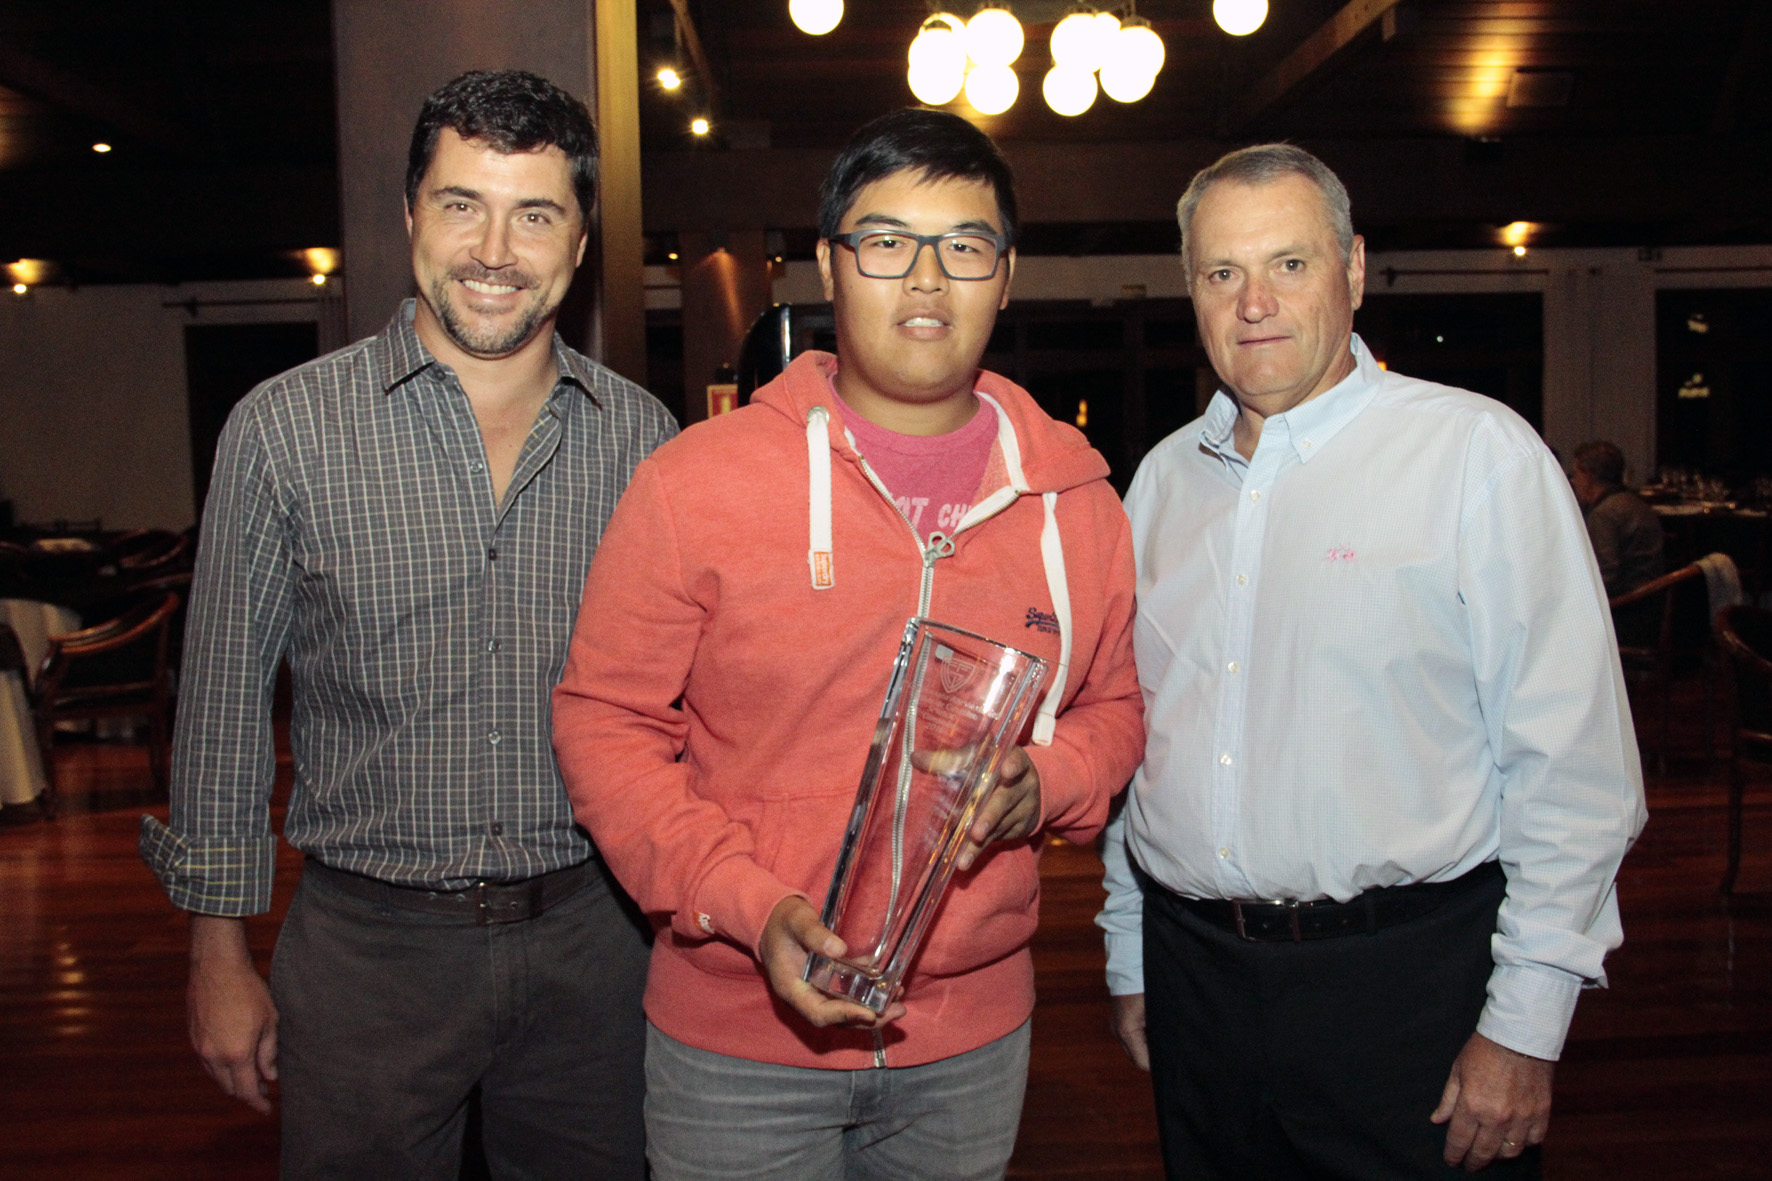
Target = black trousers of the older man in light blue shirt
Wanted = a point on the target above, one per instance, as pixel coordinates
(1317, 1060)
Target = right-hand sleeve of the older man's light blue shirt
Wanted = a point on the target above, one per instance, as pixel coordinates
(1558, 726)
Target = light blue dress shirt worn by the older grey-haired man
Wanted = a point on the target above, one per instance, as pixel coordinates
(1378, 653)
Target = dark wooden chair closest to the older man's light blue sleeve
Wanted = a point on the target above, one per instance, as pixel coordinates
(1663, 632)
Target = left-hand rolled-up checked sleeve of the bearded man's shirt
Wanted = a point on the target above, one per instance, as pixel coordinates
(219, 854)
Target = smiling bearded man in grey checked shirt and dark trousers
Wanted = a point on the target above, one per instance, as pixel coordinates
(408, 522)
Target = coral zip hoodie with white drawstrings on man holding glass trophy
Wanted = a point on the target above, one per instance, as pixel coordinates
(731, 657)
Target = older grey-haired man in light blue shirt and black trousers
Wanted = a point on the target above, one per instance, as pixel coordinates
(1367, 864)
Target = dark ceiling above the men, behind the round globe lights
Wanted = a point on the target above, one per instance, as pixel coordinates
(222, 123)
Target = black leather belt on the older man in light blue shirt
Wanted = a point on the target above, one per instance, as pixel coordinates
(1289, 921)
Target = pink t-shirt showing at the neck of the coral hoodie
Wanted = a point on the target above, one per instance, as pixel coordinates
(933, 478)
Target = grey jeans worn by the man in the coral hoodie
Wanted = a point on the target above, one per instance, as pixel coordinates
(715, 1116)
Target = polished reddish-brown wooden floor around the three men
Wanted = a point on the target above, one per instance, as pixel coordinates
(1667, 1075)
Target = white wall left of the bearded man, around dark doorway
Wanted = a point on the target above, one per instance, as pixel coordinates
(93, 403)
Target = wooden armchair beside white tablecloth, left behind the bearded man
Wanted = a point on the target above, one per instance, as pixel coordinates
(116, 669)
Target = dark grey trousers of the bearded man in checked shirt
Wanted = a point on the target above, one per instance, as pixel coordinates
(389, 1021)
